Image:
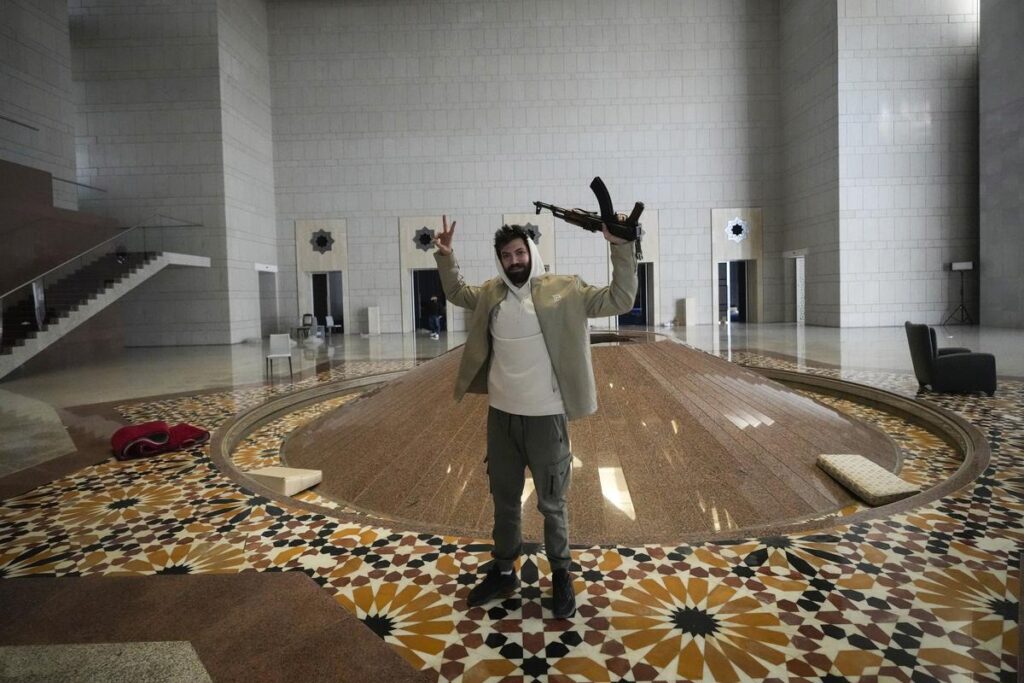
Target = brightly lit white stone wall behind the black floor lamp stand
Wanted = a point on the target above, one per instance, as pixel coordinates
(909, 149)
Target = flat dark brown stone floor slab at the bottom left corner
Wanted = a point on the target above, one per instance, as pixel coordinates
(248, 627)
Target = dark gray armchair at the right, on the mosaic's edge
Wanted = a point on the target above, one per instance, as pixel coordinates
(949, 370)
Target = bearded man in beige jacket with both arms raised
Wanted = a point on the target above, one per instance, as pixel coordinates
(529, 350)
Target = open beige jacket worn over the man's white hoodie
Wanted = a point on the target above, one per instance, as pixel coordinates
(564, 304)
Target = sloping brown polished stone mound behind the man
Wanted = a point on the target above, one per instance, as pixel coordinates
(704, 446)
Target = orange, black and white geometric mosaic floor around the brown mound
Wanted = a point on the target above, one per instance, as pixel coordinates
(930, 594)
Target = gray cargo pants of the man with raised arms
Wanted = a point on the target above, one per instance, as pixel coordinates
(542, 444)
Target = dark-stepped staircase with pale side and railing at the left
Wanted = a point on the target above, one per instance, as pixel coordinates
(77, 297)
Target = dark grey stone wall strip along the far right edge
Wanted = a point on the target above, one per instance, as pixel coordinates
(1002, 163)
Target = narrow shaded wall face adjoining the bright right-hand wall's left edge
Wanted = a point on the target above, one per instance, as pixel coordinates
(809, 164)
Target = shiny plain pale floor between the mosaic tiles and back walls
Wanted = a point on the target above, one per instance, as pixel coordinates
(147, 372)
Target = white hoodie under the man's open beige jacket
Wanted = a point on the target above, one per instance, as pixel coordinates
(522, 380)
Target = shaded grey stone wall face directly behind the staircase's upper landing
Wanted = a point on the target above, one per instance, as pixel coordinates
(149, 131)
